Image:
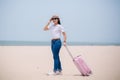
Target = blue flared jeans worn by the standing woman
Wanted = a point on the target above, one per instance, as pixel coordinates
(55, 46)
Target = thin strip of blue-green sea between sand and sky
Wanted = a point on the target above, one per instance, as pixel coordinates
(43, 43)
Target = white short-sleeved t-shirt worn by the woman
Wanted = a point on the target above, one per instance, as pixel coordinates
(56, 30)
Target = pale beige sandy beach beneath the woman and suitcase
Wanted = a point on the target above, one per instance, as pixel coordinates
(33, 62)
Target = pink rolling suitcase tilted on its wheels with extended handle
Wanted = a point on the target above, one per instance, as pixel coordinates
(80, 64)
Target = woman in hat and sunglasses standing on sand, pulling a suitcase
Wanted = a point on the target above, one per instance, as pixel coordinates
(56, 29)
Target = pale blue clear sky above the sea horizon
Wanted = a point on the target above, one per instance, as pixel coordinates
(88, 21)
